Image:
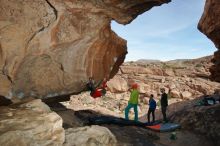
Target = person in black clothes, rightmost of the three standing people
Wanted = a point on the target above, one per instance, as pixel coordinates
(164, 104)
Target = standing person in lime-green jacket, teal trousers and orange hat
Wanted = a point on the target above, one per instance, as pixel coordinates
(133, 102)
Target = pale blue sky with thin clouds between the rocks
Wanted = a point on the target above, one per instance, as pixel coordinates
(166, 32)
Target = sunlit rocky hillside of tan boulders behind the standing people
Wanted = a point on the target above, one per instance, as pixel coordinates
(185, 79)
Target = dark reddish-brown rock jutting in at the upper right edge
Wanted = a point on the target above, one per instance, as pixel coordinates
(210, 25)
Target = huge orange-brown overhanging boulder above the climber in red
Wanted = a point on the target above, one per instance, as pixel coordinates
(51, 47)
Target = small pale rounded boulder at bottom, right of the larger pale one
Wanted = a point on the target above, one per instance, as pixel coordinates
(89, 136)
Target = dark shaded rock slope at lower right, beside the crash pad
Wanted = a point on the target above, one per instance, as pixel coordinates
(204, 120)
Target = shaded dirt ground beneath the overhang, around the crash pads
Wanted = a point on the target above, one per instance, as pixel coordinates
(130, 134)
